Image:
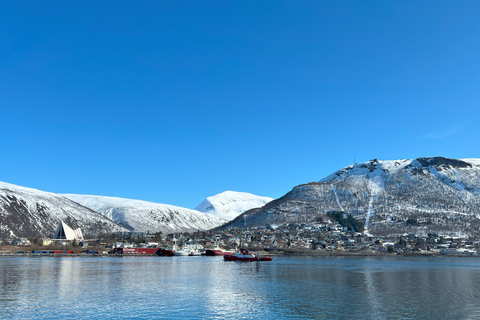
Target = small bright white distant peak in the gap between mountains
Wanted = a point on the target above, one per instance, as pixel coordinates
(230, 204)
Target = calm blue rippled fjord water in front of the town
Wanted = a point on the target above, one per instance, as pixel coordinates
(210, 288)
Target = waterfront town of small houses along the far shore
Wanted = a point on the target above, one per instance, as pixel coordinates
(288, 239)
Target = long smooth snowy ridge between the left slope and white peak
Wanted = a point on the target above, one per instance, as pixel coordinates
(137, 215)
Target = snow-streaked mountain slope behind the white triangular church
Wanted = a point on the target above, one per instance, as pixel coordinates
(26, 212)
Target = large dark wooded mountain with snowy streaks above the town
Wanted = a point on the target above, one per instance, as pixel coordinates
(424, 195)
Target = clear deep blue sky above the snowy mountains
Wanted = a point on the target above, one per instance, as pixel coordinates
(175, 101)
